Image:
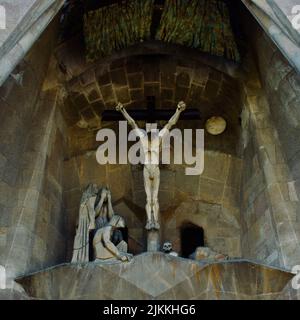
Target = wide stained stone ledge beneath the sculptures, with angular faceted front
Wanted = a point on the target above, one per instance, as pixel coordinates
(158, 276)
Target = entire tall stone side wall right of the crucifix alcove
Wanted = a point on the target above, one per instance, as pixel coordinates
(271, 207)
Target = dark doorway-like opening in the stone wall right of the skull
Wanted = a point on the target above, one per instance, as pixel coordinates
(192, 236)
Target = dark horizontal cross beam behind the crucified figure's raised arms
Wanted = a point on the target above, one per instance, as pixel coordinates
(151, 114)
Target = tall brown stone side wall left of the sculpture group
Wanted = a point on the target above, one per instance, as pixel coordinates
(31, 154)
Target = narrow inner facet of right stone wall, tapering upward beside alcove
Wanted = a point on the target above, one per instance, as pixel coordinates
(258, 241)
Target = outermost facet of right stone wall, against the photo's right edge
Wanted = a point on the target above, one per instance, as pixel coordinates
(282, 85)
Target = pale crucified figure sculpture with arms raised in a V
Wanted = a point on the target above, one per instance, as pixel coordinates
(151, 147)
